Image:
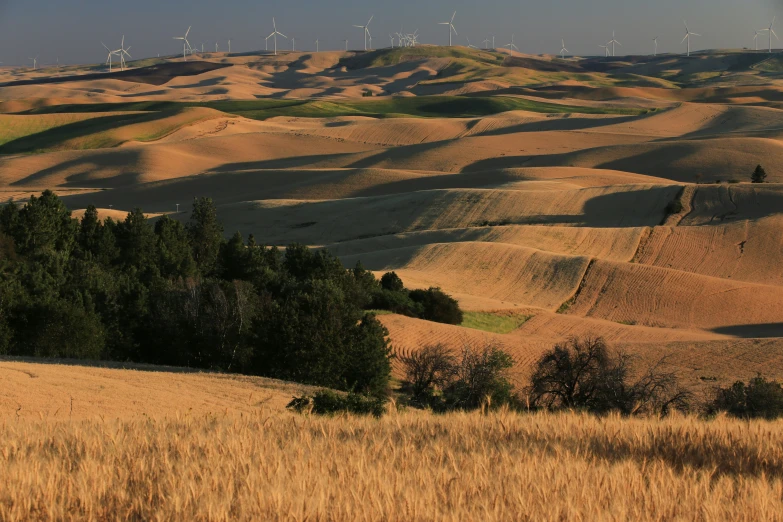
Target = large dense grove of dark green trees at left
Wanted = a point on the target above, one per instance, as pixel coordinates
(182, 295)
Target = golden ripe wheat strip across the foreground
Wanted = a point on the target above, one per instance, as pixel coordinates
(273, 465)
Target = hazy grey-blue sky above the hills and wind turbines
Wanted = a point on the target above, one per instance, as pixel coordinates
(74, 29)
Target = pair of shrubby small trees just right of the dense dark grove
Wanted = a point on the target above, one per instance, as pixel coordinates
(438, 379)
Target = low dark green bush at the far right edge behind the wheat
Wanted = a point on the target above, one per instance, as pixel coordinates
(759, 398)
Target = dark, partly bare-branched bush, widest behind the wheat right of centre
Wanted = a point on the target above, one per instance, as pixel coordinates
(582, 374)
